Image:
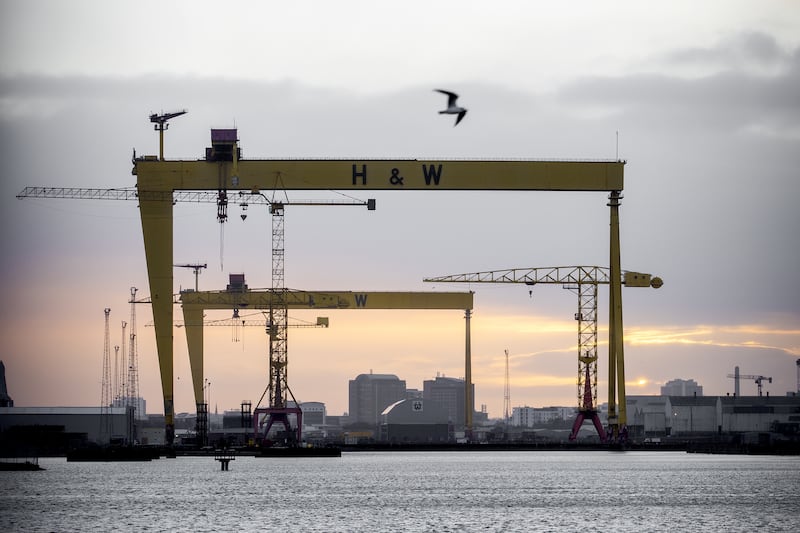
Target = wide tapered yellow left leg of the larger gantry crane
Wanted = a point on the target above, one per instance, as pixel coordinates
(157, 232)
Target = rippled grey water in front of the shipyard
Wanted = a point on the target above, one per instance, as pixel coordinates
(413, 491)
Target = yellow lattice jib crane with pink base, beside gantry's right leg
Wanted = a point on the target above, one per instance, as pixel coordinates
(583, 281)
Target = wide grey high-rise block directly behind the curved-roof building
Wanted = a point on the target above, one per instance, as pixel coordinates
(370, 394)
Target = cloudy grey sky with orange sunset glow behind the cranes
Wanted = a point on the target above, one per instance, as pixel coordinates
(701, 99)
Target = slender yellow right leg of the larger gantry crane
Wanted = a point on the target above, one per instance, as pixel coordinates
(617, 414)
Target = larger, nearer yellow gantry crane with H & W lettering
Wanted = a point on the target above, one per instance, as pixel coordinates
(162, 182)
